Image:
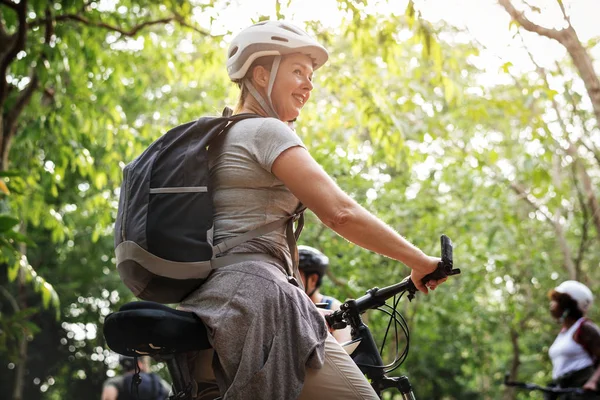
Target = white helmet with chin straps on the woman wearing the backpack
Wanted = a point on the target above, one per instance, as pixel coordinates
(269, 38)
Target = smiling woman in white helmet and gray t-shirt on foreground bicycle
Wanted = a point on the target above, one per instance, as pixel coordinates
(270, 340)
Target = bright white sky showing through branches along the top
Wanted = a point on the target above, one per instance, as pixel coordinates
(484, 19)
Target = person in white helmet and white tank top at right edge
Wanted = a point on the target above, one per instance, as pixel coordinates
(575, 353)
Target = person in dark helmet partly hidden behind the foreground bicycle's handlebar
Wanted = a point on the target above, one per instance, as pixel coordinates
(313, 265)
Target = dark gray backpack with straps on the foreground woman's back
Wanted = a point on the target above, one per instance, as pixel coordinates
(164, 227)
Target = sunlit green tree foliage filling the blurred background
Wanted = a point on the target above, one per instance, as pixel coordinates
(399, 117)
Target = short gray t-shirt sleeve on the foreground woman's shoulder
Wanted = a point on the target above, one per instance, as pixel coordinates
(272, 138)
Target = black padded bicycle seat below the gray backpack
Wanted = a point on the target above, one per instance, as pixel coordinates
(147, 328)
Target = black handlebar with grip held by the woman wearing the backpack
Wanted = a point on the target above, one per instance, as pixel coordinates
(376, 297)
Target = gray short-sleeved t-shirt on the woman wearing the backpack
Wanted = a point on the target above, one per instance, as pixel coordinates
(246, 194)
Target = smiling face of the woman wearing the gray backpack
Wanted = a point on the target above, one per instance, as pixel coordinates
(292, 86)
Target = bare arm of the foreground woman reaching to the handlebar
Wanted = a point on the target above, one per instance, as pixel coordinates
(305, 178)
